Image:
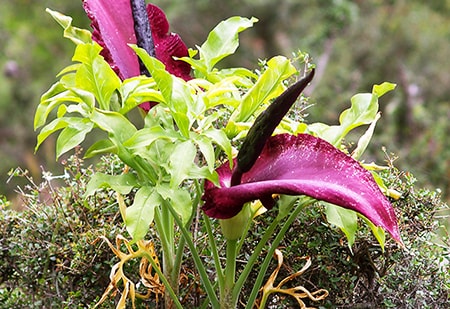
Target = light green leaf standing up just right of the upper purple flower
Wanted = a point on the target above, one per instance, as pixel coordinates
(223, 40)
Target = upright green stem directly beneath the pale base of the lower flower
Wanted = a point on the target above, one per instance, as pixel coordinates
(227, 298)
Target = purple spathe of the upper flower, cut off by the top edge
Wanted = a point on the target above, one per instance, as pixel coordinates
(113, 25)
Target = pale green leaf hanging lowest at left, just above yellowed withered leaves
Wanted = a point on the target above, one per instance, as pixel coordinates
(140, 214)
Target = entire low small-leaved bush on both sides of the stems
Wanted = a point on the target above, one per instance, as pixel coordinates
(51, 256)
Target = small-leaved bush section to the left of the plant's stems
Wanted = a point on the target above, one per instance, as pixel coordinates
(50, 256)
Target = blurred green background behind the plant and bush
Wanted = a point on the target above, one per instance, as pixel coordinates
(355, 44)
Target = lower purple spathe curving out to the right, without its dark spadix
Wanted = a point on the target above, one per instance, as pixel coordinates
(302, 165)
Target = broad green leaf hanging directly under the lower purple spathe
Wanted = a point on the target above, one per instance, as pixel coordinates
(345, 219)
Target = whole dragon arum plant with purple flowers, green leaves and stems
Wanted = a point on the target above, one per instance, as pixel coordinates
(197, 115)
